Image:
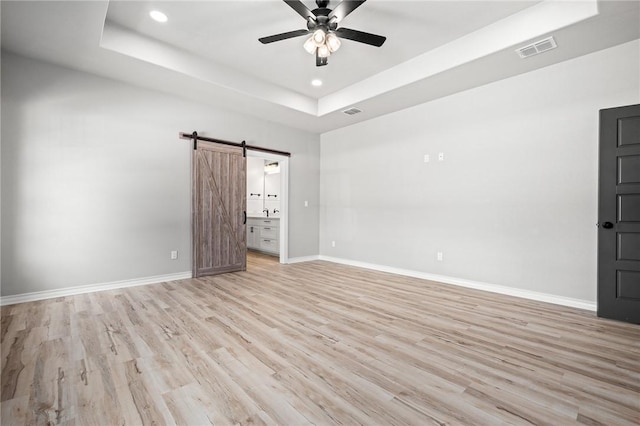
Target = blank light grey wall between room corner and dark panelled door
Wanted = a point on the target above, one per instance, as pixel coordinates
(513, 204)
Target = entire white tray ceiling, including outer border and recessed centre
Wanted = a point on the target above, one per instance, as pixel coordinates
(208, 50)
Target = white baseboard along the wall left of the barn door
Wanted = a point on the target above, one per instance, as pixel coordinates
(70, 291)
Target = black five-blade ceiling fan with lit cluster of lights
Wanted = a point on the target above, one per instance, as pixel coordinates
(322, 24)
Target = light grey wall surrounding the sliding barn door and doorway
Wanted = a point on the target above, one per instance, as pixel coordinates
(96, 183)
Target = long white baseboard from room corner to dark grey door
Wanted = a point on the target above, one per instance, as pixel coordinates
(494, 288)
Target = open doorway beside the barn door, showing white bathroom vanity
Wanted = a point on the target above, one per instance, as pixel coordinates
(268, 203)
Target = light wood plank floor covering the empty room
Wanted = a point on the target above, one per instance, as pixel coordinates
(314, 343)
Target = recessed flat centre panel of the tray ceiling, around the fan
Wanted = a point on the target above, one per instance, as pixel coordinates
(227, 32)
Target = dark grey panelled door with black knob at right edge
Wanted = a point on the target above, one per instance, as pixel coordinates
(619, 214)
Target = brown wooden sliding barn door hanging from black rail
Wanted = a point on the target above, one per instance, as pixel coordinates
(219, 206)
